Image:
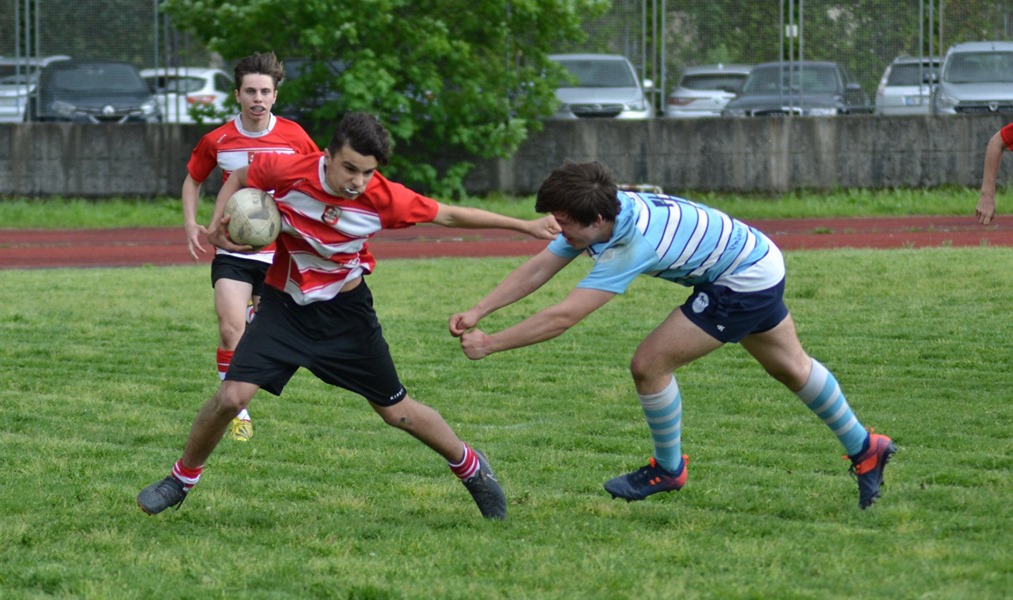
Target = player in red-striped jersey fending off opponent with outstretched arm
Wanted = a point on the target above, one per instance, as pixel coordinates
(318, 310)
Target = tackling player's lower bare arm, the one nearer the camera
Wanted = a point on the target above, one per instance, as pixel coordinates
(546, 325)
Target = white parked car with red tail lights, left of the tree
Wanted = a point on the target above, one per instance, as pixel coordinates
(183, 91)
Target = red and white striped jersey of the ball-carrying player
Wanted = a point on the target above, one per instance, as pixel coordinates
(324, 240)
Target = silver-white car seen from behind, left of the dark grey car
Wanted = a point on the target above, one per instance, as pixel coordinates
(706, 90)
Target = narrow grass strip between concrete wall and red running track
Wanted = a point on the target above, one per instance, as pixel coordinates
(166, 212)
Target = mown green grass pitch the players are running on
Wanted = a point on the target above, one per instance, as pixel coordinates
(104, 370)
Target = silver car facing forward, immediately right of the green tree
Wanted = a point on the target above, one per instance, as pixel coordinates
(604, 87)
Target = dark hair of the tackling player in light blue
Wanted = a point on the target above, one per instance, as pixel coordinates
(583, 191)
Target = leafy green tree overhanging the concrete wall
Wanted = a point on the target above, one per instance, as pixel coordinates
(450, 79)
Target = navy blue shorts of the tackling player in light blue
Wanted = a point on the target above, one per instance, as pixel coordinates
(729, 316)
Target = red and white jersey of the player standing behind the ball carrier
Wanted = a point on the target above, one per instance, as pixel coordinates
(230, 147)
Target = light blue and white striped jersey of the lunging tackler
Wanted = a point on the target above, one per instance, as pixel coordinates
(675, 240)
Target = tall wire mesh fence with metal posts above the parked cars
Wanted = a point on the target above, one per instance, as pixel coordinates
(660, 37)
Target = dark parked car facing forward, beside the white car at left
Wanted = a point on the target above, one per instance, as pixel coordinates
(94, 92)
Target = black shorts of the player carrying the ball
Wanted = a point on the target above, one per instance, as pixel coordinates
(340, 341)
